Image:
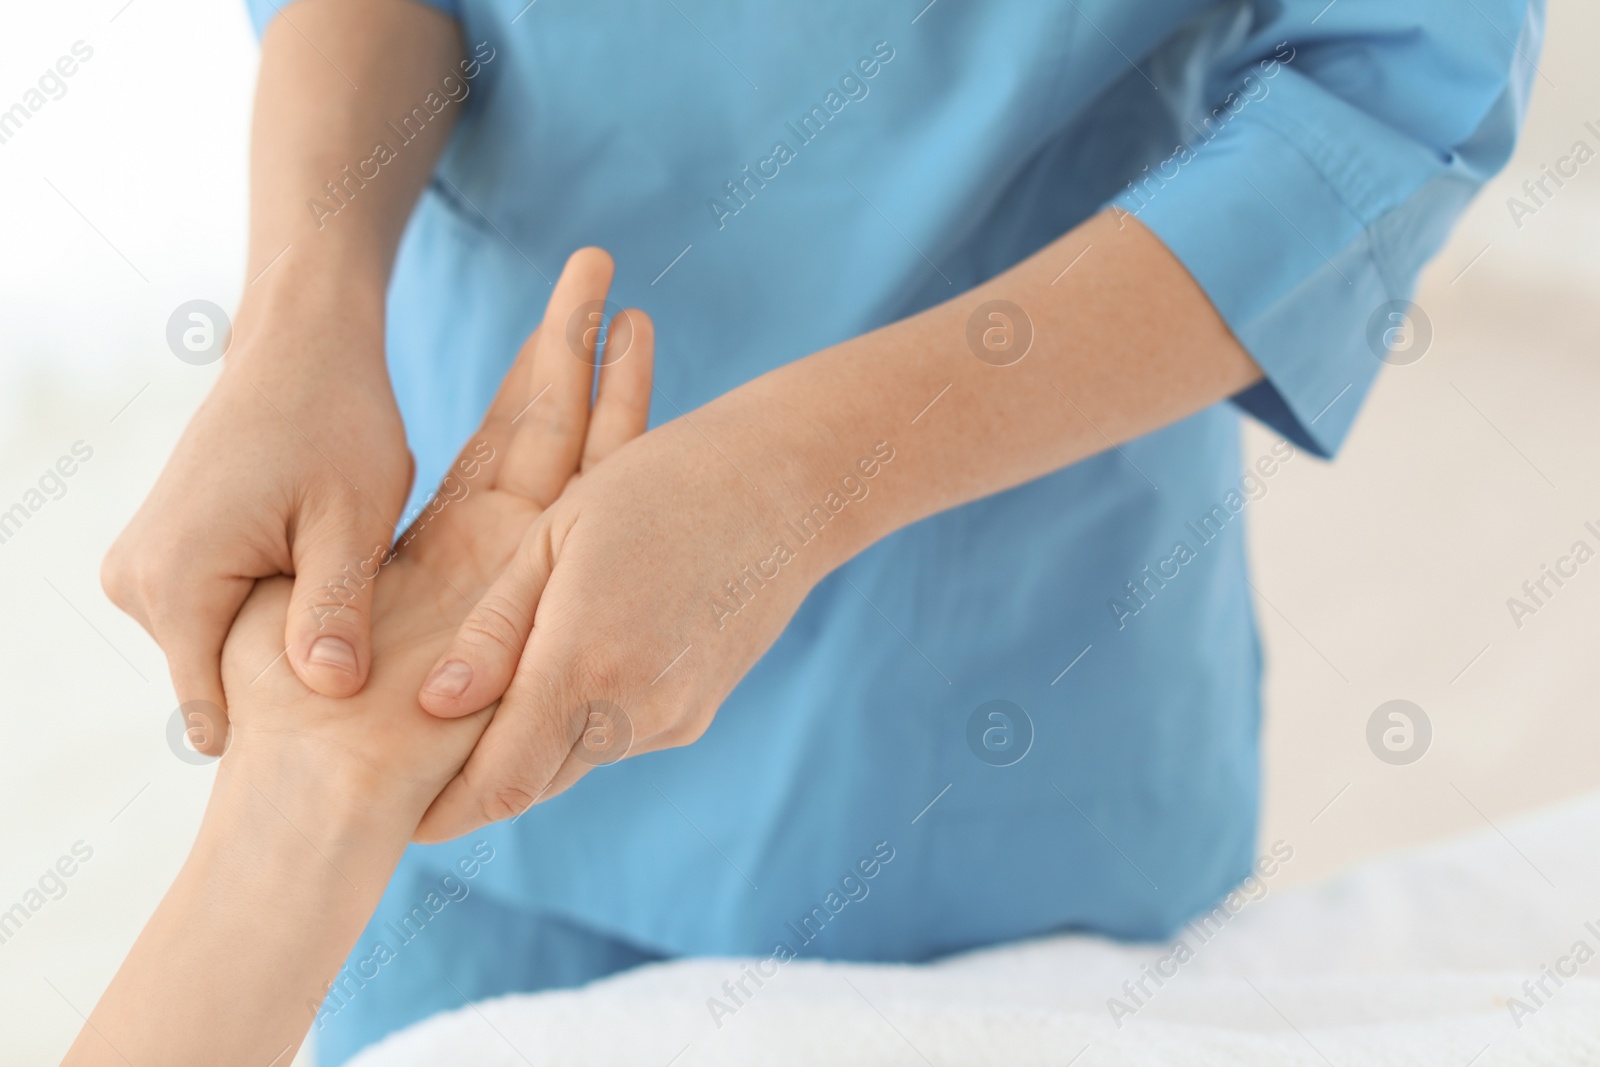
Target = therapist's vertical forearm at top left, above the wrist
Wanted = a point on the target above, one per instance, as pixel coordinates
(338, 154)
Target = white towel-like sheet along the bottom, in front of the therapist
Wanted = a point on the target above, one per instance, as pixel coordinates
(1414, 961)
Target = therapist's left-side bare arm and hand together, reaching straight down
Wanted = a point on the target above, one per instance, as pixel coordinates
(297, 462)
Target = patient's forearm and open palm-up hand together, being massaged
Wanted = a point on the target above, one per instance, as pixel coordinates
(318, 797)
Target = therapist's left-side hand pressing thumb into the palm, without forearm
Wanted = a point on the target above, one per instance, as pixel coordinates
(295, 465)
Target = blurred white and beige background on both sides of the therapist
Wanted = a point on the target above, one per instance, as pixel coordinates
(1380, 577)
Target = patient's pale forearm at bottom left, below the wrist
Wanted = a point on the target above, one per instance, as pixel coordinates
(270, 903)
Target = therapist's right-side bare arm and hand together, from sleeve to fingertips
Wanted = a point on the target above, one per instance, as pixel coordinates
(1124, 343)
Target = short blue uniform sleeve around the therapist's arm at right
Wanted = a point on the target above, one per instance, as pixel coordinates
(1340, 146)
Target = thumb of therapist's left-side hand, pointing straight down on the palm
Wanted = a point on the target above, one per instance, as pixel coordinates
(329, 633)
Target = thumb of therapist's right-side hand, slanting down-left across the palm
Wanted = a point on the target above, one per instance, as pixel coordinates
(484, 655)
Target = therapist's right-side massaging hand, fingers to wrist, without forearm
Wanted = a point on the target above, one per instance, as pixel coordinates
(625, 589)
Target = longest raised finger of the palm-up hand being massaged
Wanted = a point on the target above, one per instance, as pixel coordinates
(550, 434)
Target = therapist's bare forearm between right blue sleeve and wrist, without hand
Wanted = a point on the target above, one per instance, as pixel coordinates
(1124, 343)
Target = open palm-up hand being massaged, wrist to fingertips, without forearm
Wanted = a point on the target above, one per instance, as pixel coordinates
(538, 436)
